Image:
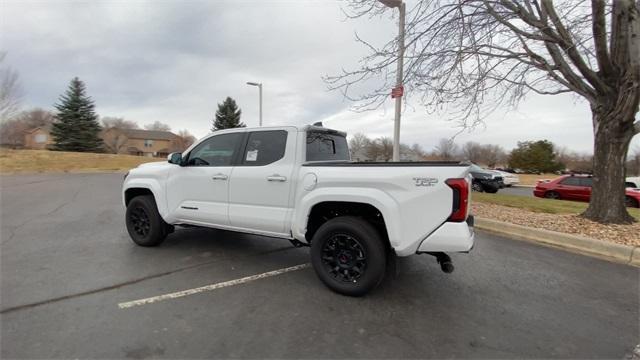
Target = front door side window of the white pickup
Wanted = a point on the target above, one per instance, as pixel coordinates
(215, 151)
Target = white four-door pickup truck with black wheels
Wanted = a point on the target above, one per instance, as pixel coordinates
(298, 183)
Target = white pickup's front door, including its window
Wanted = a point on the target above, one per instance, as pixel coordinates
(199, 190)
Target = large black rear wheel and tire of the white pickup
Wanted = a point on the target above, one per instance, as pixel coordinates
(348, 254)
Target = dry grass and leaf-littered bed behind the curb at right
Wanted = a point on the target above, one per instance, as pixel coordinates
(555, 215)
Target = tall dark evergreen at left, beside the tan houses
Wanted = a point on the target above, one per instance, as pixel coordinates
(76, 127)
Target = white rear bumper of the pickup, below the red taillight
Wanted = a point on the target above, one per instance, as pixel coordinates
(450, 237)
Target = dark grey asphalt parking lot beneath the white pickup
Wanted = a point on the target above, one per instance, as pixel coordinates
(67, 264)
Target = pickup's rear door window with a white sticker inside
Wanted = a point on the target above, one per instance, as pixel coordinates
(265, 147)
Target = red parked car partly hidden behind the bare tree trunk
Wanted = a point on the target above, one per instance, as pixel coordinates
(573, 187)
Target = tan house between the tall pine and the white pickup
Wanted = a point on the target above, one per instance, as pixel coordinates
(151, 143)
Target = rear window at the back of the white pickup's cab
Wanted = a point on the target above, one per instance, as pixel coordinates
(325, 146)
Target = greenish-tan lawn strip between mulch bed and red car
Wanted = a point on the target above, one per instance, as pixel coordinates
(540, 205)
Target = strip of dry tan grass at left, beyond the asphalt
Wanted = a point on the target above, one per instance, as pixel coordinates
(35, 161)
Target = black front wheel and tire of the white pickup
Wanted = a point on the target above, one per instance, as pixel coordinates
(144, 224)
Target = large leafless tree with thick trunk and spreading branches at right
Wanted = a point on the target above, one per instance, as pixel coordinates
(474, 56)
